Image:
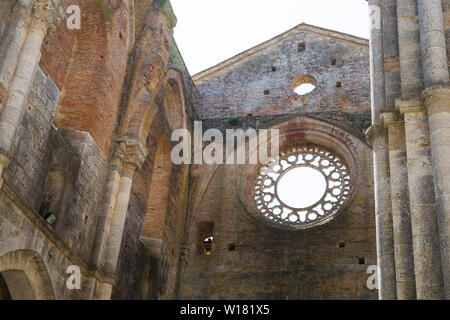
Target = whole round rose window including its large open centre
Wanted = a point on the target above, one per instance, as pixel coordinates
(303, 187)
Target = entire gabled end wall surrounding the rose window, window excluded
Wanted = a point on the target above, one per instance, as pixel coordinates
(250, 260)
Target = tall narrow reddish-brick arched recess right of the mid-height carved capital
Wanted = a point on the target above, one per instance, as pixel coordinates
(159, 191)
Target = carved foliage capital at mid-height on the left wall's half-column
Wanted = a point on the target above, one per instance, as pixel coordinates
(129, 151)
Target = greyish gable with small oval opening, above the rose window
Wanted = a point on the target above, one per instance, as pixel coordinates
(257, 86)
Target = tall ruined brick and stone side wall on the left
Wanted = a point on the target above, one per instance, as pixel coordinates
(63, 147)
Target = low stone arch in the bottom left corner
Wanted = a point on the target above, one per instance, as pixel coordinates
(26, 275)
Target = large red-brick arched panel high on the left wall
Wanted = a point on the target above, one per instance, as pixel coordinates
(93, 82)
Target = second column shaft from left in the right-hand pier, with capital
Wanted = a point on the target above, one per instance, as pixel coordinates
(404, 257)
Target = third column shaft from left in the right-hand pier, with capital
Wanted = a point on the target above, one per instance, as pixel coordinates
(427, 259)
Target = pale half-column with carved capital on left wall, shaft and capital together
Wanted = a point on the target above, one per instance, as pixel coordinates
(129, 156)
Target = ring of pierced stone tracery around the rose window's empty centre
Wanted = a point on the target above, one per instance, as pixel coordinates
(277, 212)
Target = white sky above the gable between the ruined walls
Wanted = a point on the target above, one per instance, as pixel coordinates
(211, 31)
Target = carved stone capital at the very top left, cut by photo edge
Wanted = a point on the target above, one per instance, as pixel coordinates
(46, 14)
